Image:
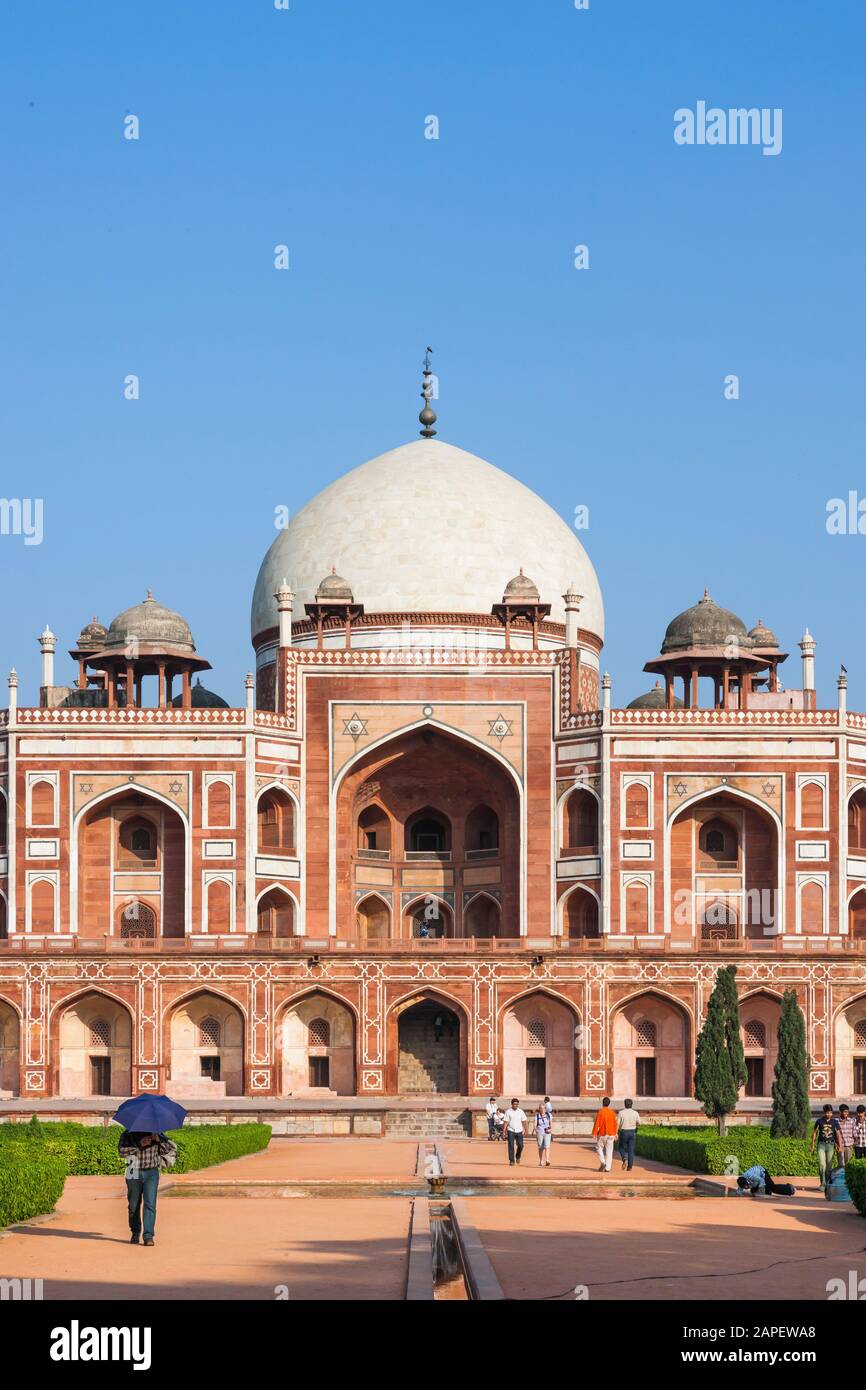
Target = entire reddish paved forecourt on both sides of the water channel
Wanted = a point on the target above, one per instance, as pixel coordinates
(357, 1248)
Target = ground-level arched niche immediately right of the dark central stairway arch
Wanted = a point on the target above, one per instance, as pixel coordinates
(540, 1053)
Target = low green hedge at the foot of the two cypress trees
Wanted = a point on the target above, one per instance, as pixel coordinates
(704, 1152)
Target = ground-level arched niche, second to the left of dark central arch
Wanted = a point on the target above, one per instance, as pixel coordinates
(206, 1045)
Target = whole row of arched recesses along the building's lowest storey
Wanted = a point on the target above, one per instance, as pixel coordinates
(650, 1042)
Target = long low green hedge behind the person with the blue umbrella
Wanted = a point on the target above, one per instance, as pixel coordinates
(90, 1149)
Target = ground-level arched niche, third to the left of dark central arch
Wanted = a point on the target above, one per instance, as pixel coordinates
(95, 1047)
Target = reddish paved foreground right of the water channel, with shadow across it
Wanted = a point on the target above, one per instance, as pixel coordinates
(689, 1250)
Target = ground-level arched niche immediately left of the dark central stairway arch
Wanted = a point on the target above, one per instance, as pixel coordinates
(318, 1047)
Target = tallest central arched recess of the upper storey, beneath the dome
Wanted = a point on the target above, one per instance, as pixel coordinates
(444, 864)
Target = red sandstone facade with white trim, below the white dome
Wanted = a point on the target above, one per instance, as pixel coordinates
(422, 867)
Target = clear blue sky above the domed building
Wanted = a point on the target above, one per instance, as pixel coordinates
(600, 389)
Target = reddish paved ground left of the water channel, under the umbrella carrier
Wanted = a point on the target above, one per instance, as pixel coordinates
(322, 1249)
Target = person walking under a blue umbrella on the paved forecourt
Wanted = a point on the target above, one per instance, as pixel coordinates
(147, 1153)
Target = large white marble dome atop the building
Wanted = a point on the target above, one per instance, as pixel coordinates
(427, 529)
